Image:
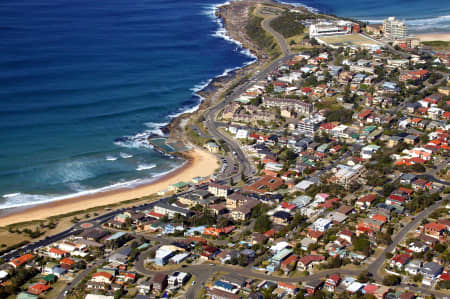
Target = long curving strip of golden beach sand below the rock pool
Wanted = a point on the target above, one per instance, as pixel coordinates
(200, 163)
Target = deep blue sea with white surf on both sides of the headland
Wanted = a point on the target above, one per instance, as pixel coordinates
(76, 75)
